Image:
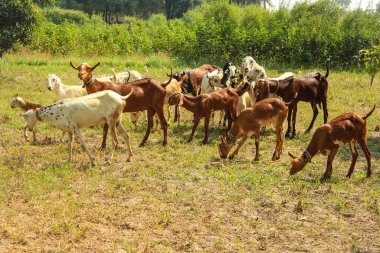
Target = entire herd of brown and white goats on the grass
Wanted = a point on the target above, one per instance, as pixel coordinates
(249, 99)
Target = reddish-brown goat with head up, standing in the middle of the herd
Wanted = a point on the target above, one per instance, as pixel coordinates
(225, 99)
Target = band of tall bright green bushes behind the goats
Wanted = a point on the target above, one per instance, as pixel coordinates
(217, 31)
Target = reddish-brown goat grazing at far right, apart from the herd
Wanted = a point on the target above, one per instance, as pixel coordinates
(347, 128)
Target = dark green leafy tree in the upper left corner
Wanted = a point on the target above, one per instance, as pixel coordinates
(17, 21)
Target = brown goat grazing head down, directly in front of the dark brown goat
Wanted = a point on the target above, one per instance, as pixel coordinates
(270, 111)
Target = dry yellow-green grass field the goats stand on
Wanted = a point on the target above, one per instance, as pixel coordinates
(182, 197)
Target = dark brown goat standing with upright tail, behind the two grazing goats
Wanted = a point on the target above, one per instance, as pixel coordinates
(308, 88)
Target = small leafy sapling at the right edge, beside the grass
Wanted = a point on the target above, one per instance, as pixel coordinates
(371, 60)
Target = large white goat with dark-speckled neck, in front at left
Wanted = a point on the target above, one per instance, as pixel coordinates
(70, 115)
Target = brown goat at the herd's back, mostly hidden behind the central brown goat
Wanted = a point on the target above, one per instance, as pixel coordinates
(192, 79)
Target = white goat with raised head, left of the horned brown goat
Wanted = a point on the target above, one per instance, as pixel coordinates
(54, 83)
